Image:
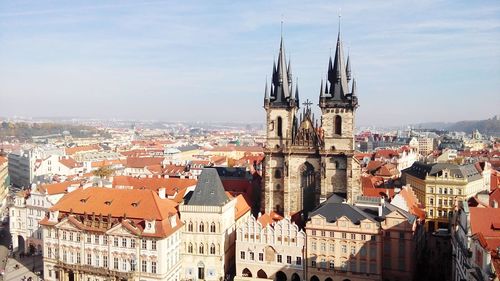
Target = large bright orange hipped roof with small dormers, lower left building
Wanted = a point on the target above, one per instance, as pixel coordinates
(132, 203)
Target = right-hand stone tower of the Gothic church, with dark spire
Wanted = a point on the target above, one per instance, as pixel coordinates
(338, 103)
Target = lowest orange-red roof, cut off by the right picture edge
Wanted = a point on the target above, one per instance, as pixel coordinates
(484, 221)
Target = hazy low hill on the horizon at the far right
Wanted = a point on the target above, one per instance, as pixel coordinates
(489, 126)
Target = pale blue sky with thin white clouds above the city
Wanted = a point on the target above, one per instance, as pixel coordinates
(414, 61)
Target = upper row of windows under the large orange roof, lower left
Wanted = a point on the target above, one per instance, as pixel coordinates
(98, 239)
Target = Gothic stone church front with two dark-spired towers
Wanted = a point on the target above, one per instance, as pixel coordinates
(307, 160)
